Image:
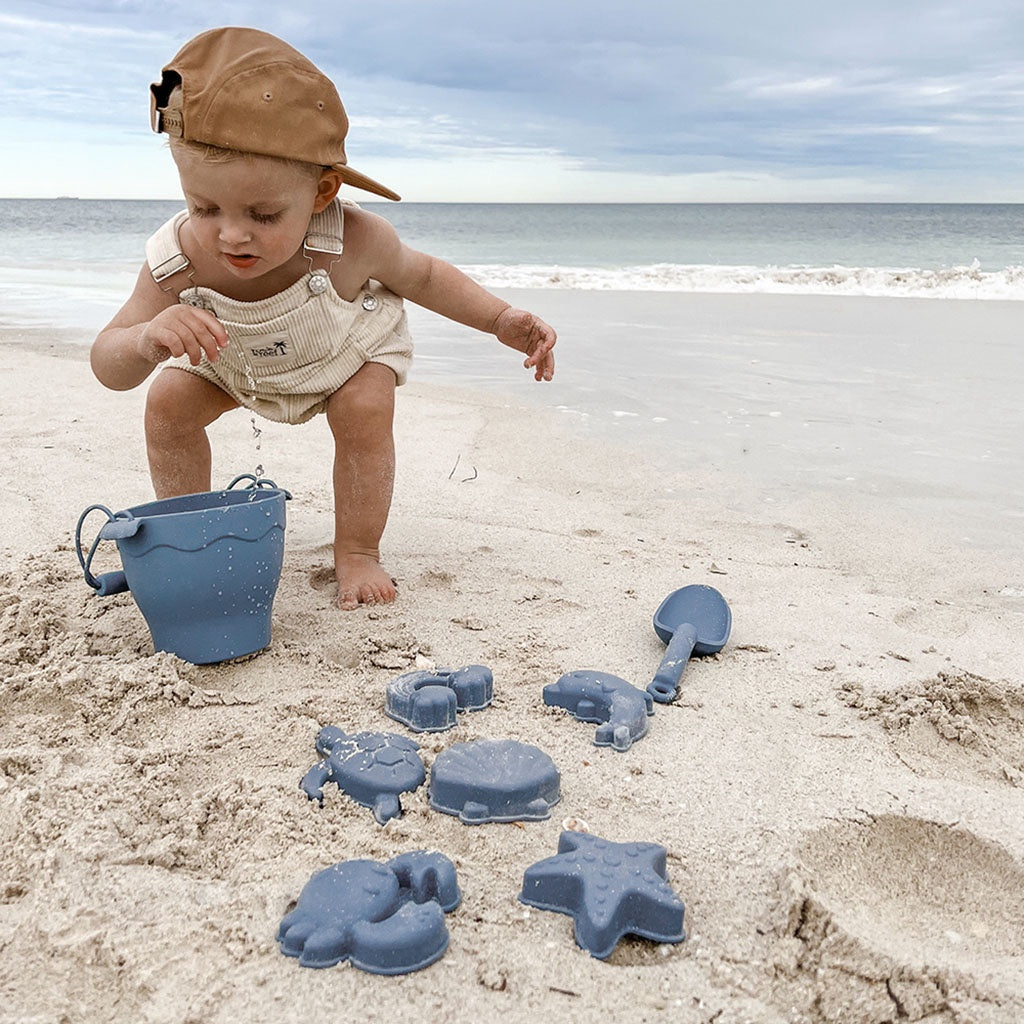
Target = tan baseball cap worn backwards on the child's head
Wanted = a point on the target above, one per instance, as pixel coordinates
(247, 91)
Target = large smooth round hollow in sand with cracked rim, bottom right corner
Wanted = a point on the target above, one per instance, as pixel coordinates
(904, 920)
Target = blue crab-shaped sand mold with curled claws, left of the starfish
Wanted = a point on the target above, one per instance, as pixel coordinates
(386, 919)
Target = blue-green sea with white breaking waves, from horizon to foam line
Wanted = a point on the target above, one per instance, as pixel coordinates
(936, 250)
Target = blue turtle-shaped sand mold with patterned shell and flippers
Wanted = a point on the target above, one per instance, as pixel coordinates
(372, 767)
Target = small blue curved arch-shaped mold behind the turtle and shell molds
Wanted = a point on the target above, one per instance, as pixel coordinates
(429, 702)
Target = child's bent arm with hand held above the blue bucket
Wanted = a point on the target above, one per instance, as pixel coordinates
(150, 328)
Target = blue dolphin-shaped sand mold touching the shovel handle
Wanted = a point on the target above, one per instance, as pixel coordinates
(622, 708)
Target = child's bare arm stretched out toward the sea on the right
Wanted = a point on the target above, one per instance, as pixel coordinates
(432, 283)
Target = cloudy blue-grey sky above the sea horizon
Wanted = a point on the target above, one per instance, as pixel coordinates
(561, 101)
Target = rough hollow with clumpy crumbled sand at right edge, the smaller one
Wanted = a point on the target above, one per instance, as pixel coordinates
(957, 726)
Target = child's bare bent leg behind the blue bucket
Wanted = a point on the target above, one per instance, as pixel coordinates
(179, 409)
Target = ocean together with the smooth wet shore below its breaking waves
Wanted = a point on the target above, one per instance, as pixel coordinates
(828, 394)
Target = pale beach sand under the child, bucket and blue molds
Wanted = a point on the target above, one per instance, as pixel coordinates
(840, 791)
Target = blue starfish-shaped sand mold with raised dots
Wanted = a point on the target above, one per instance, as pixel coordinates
(609, 889)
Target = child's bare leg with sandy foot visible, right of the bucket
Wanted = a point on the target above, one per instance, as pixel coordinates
(361, 415)
